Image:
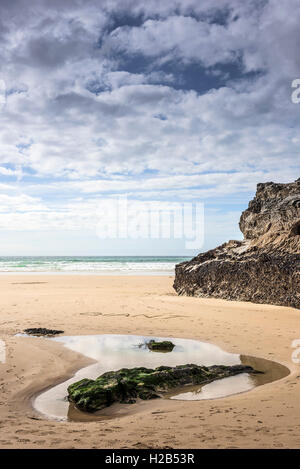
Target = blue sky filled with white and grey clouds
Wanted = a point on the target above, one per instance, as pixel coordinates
(173, 102)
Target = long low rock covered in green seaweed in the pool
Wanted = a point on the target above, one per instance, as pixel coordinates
(126, 385)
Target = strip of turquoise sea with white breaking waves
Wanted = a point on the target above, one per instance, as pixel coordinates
(105, 265)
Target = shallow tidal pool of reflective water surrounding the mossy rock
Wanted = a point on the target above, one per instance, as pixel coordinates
(112, 352)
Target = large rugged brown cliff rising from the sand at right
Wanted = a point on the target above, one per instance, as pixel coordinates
(265, 266)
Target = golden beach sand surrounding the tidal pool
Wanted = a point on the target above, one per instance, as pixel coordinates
(268, 416)
